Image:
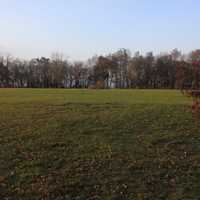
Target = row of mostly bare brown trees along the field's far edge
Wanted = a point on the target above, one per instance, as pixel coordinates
(116, 70)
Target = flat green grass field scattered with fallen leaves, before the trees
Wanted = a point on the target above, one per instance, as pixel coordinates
(98, 145)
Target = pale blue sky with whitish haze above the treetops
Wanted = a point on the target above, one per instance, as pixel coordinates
(82, 28)
